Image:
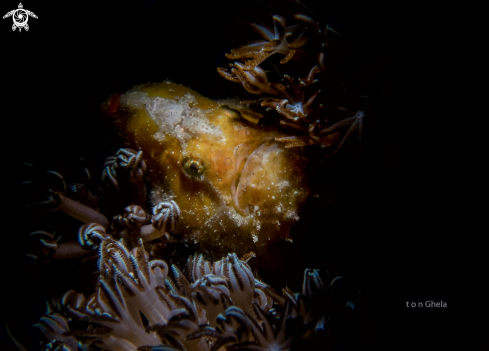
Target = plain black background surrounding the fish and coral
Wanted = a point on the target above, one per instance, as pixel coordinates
(403, 223)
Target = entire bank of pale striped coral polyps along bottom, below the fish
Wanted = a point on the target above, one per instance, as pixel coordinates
(136, 306)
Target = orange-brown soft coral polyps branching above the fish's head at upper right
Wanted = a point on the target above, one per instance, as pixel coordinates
(295, 99)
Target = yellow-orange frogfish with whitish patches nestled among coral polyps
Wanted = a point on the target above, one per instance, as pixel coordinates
(236, 187)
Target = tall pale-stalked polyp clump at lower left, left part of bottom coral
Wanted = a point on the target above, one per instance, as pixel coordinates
(129, 286)
